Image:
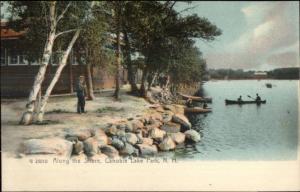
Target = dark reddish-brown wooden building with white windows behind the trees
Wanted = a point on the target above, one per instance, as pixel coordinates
(17, 74)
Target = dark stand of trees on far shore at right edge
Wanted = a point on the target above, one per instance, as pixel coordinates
(285, 73)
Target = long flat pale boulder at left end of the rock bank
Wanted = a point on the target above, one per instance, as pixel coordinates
(54, 146)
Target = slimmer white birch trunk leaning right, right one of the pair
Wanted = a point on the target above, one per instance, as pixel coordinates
(61, 66)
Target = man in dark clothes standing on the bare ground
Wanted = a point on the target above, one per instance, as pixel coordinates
(81, 93)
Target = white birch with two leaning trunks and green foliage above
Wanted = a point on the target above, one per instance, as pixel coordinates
(72, 16)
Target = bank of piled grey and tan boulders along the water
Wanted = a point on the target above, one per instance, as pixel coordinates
(160, 128)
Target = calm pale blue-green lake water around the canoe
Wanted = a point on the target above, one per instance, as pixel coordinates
(247, 132)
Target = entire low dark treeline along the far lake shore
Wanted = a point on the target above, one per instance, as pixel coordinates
(279, 73)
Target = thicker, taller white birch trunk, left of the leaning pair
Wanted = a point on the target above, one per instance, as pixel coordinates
(28, 114)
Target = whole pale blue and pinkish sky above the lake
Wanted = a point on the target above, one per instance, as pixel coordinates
(257, 35)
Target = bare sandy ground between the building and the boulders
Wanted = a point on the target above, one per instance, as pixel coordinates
(61, 112)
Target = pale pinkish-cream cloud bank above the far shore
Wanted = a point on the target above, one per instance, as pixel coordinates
(271, 39)
